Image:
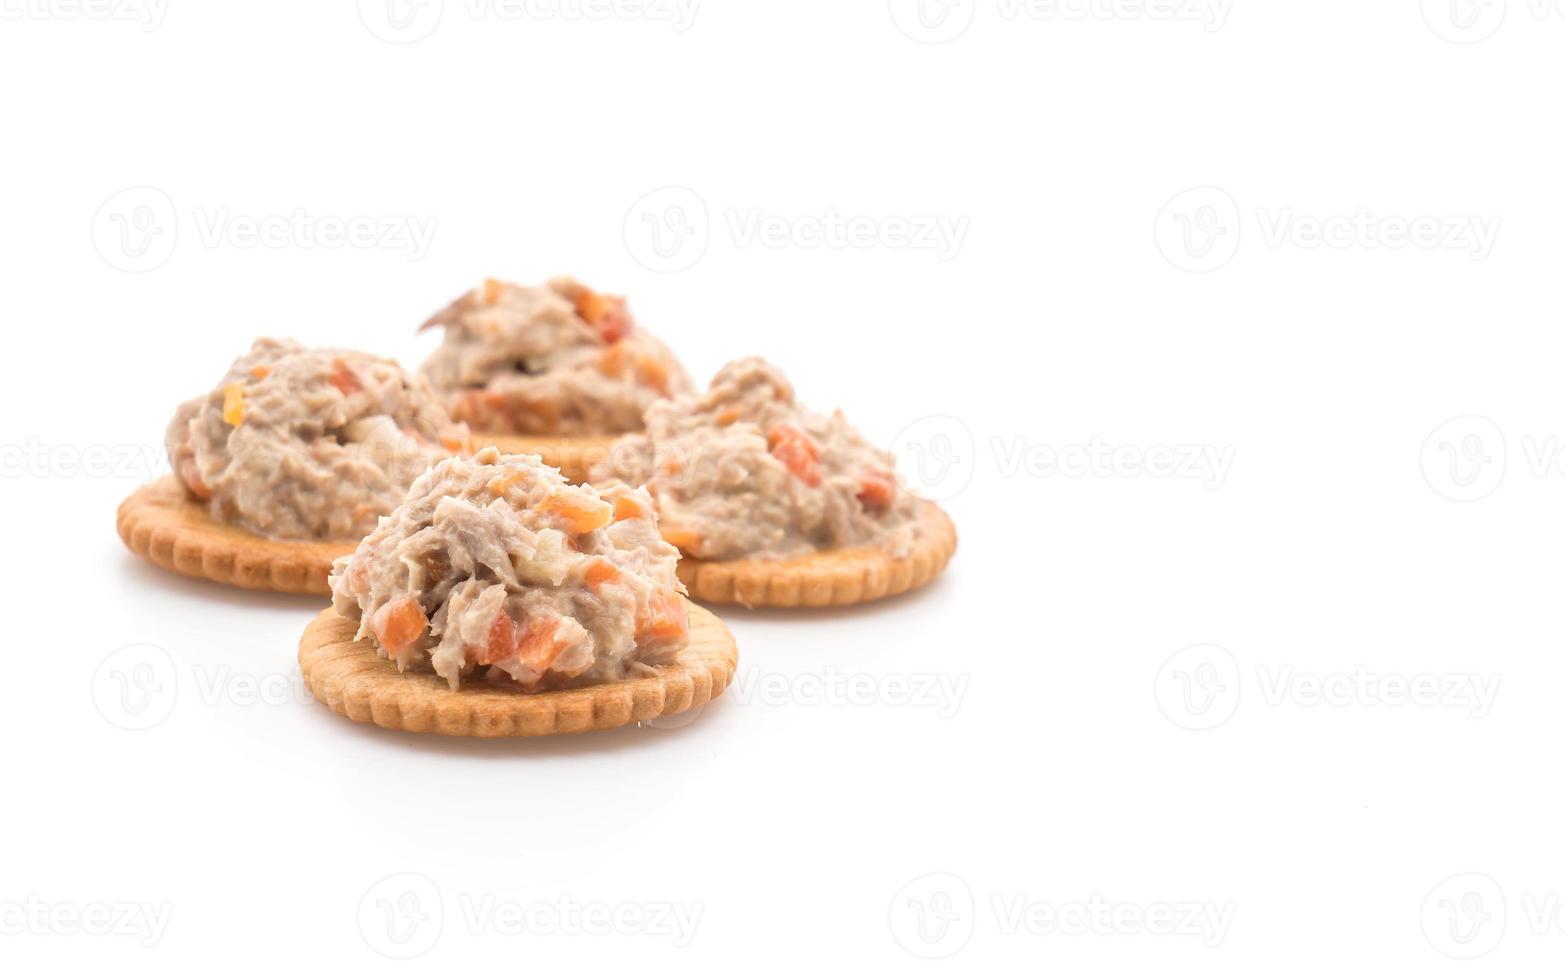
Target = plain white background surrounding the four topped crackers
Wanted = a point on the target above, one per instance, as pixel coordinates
(1081, 763)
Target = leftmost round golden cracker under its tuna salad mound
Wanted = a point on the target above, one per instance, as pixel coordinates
(170, 528)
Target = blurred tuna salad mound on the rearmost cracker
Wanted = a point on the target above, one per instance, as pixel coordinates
(549, 361)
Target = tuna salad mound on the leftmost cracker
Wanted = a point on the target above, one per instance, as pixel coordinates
(309, 444)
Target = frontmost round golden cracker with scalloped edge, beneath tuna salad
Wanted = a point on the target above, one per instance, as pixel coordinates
(353, 679)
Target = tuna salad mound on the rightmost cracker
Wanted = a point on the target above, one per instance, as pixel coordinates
(744, 472)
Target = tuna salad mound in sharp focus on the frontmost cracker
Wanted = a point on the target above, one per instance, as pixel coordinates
(495, 566)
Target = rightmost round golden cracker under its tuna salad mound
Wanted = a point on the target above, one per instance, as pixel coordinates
(843, 577)
